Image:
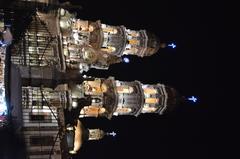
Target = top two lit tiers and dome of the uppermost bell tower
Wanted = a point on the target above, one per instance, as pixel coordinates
(119, 40)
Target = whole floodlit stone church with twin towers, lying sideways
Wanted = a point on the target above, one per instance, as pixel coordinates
(48, 55)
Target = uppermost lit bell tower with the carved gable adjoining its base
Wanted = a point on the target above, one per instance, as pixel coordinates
(88, 44)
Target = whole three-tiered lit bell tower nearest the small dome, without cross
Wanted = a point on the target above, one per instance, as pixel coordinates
(110, 97)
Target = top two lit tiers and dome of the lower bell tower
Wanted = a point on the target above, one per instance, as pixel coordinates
(135, 98)
